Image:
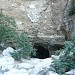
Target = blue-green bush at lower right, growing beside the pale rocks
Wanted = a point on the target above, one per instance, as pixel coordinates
(66, 60)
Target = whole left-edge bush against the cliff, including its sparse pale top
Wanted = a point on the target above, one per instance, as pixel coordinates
(7, 30)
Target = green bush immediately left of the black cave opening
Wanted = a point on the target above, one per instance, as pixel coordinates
(24, 45)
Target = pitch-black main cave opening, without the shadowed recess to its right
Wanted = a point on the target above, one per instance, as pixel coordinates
(41, 52)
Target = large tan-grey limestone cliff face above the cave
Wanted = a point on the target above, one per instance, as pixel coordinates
(37, 18)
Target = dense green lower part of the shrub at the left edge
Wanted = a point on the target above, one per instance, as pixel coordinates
(6, 33)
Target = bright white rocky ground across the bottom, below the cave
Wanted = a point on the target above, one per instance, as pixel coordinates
(34, 66)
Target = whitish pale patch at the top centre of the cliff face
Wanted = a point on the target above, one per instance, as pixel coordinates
(35, 11)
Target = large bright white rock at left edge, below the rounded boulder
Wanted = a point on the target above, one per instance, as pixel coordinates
(6, 63)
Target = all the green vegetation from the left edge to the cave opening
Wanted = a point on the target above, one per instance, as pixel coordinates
(8, 32)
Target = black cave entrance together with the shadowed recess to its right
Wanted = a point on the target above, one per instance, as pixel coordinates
(43, 51)
